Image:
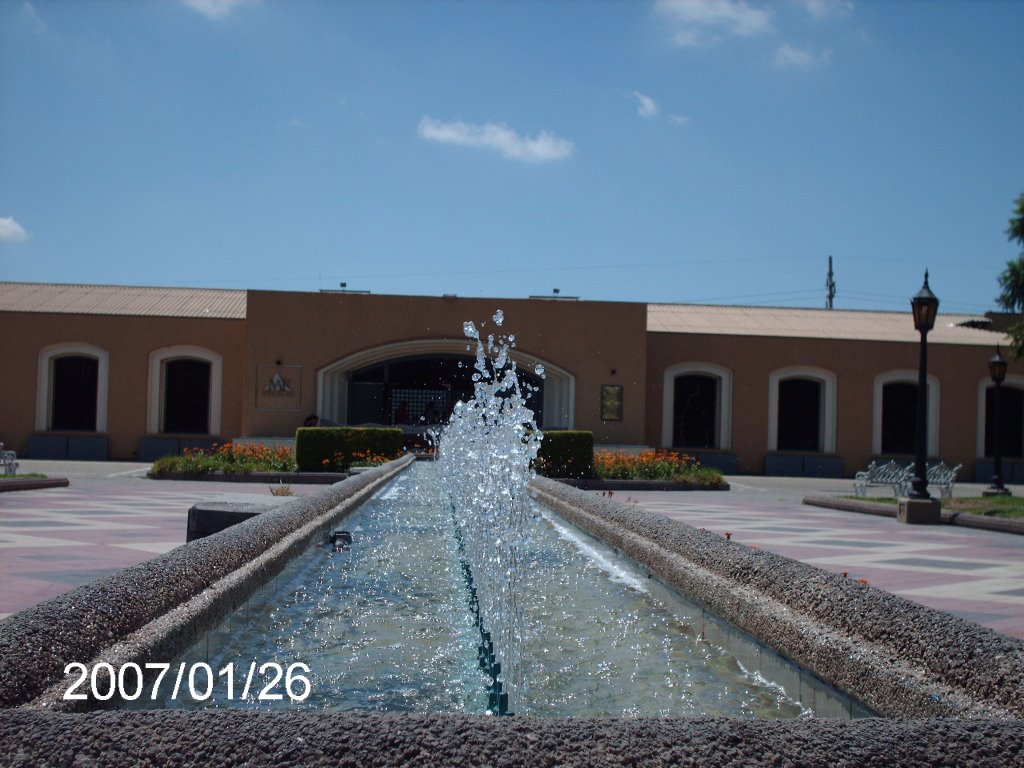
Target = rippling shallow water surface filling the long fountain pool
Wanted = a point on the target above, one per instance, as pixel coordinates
(383, 625)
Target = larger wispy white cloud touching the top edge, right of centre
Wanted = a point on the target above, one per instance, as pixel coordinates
(701, 22)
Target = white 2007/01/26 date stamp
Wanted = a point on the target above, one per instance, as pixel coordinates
(131, 681)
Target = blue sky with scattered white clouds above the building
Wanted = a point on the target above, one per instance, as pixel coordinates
(676, 151)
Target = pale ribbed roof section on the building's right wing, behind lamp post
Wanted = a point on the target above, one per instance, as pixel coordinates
(814, 324)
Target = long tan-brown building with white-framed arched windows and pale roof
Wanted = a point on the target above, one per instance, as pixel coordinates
(121, 372)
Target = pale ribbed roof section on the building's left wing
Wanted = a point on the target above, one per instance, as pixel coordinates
(122, 301)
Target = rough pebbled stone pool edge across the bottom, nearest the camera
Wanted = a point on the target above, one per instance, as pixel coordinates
(372, 741)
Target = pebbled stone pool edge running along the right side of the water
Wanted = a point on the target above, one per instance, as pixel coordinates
(901, 659)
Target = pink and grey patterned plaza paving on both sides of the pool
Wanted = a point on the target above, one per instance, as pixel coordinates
(112, 517)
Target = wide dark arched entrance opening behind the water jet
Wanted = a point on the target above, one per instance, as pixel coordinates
(403, 383)
